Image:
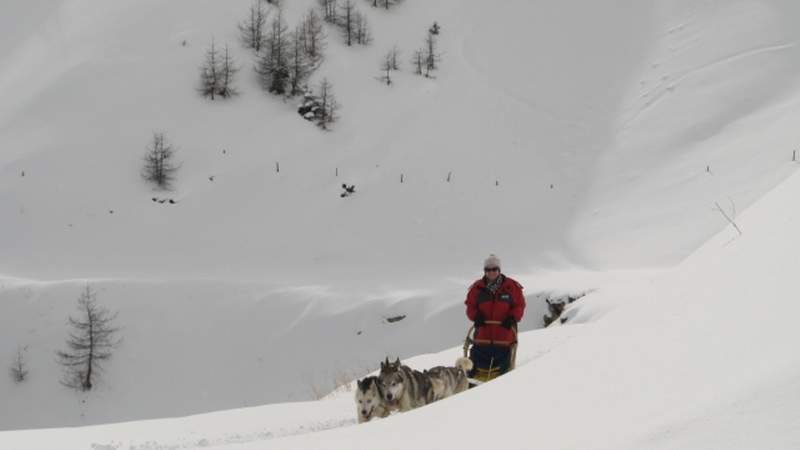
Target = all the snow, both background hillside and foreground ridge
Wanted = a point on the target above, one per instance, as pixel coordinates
(589, 144)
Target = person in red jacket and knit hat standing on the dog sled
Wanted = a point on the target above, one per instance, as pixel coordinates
(495, 303)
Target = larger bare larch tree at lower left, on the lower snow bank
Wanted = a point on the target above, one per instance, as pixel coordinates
(89, 344)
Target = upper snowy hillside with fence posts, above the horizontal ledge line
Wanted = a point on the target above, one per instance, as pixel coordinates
(614, 104)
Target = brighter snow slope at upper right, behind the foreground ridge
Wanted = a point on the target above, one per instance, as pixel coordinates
(709, 118)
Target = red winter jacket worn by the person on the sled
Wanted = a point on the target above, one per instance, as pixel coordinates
(507, 301)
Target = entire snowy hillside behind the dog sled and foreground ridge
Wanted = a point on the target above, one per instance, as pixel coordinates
(599, 133)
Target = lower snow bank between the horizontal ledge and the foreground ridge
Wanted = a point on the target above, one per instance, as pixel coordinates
(191, 347)
